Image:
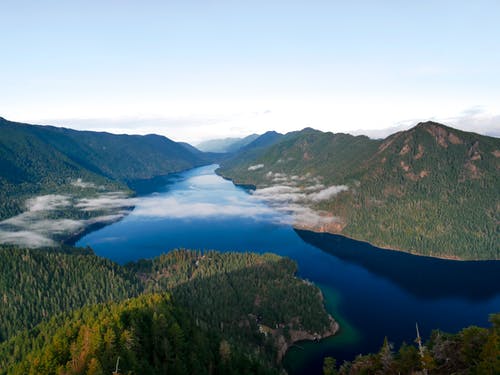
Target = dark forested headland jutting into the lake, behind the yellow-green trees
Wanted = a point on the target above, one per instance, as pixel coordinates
(240, 294)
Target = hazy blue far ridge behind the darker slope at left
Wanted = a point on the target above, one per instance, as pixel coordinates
(120, 157)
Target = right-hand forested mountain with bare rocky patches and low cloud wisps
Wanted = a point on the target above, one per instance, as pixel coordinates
(431, 190)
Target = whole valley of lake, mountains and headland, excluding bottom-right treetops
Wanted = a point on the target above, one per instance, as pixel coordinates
(289, 195)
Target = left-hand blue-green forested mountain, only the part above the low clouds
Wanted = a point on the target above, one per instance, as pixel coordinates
(44, 159)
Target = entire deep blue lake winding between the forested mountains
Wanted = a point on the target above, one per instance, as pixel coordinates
(372, 292)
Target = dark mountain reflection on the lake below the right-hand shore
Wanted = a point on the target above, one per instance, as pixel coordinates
(424, 277)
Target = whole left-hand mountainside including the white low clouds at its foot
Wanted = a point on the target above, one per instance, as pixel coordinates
(44, 169)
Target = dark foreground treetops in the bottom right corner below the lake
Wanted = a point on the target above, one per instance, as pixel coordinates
(473, 350)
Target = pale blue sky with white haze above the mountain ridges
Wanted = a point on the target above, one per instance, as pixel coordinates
(197, 70)
